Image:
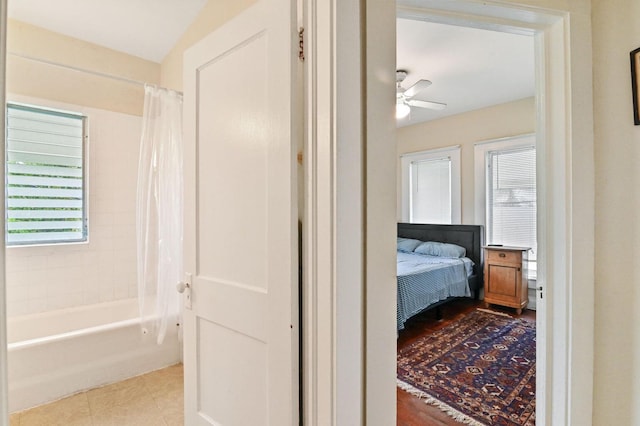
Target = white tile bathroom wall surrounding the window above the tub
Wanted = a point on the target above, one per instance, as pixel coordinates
(42, 278)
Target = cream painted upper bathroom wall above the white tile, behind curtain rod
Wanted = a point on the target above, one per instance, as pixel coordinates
(30, 78)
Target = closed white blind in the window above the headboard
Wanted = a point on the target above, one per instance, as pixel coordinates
(431, 191)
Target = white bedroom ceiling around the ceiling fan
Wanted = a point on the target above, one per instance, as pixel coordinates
(469, 68)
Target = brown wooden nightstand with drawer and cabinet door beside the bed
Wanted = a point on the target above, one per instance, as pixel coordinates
(505, 276)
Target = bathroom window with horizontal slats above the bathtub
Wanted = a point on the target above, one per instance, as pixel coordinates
(45, 182)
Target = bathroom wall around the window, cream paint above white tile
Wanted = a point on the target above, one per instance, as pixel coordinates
(41, 278)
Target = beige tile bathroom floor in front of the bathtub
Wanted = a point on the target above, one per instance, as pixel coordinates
(153, 399)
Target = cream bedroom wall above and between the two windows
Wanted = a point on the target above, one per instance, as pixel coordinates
(510, 119)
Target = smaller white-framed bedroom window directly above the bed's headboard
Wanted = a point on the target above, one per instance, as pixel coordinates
(431, 186)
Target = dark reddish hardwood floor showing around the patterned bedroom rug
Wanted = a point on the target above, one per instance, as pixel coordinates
(411, 410)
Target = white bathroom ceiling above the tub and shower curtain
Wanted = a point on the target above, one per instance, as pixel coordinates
(144, 28)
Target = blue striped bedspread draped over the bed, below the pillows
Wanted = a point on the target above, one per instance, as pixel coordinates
(424, 280)
